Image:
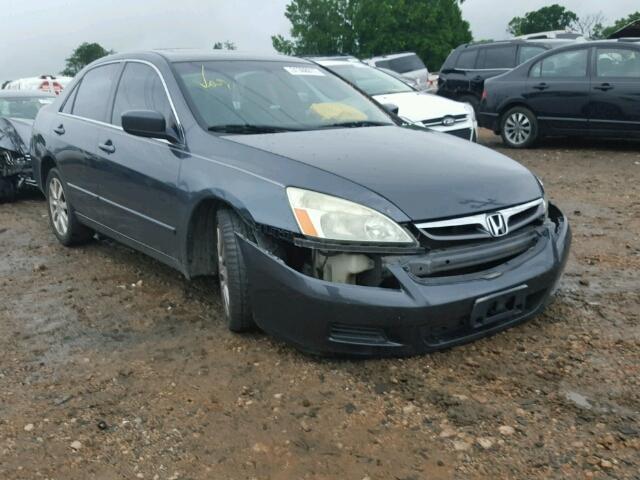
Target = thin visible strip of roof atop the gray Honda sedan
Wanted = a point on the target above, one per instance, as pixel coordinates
(199, 55)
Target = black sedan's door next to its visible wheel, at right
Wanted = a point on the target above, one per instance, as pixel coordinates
(558, 89)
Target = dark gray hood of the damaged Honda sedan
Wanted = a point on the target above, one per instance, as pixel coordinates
(428, 175)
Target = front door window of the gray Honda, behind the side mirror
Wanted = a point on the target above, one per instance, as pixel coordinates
(140, 88)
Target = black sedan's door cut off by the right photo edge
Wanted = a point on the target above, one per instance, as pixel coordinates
(614, 107)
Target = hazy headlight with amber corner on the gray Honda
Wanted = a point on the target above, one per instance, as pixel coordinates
(323, 216)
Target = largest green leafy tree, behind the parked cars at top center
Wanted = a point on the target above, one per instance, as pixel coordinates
(366, 28)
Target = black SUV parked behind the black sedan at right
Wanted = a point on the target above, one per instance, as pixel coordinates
(464, 71)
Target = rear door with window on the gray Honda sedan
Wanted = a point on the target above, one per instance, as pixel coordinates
(76, 131)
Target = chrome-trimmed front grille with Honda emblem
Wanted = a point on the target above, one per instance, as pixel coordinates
(479, 226)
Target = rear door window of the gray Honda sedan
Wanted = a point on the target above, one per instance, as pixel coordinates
(92, 99)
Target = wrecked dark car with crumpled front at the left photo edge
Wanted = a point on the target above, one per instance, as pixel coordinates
(17, 112)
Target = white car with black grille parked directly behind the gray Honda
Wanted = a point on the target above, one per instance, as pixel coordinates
(416, 107)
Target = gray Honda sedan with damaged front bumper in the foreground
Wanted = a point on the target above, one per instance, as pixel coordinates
(328, 223)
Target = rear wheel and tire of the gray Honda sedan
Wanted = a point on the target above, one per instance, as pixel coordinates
(62, 218)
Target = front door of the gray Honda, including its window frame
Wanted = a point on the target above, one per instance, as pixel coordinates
(138, 176)
